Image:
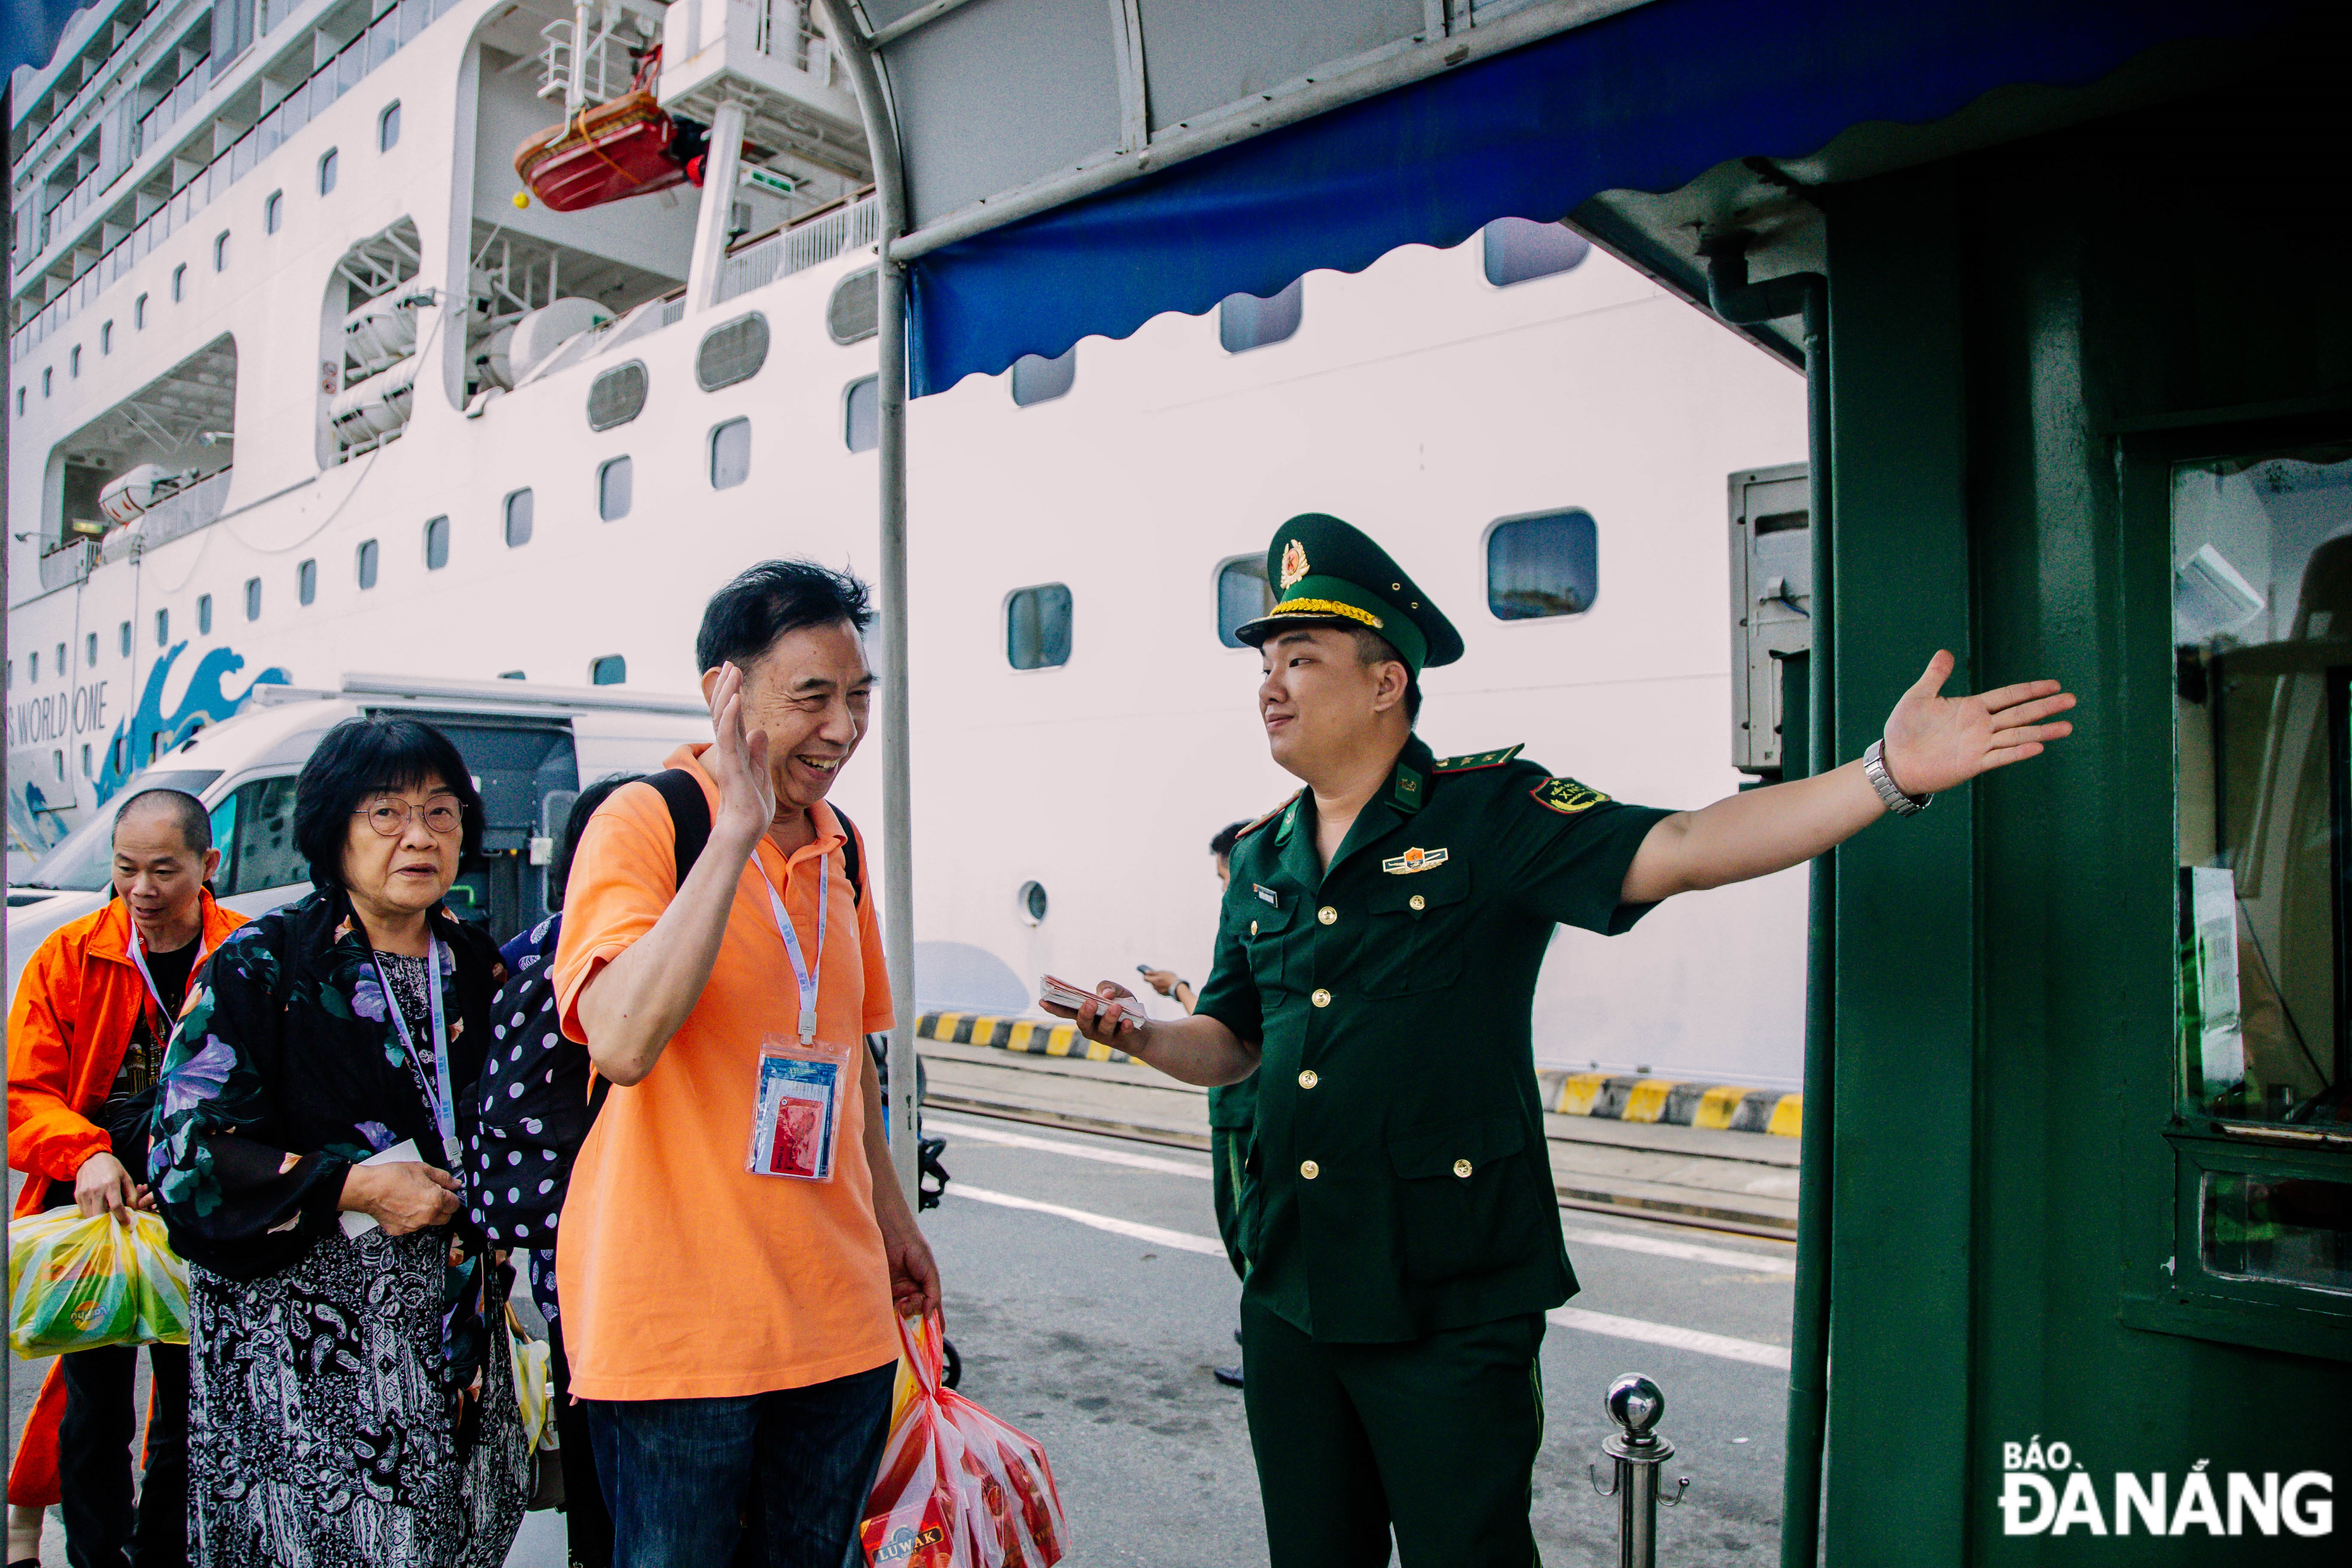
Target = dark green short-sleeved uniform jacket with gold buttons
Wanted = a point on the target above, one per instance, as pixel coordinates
(1401, 1181)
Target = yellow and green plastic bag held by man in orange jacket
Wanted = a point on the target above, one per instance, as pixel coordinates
(81, 1285)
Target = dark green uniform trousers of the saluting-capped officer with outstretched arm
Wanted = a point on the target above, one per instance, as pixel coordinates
(1434, 1440)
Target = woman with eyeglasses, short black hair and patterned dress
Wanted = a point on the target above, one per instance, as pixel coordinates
(352, 1391)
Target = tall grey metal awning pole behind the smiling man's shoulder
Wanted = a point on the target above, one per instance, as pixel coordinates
(897, 725)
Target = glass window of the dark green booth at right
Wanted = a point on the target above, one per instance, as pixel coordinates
(2264, 704)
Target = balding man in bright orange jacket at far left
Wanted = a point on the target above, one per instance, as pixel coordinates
(86, 1040)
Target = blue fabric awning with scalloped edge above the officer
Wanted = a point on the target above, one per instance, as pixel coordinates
(1641, 102)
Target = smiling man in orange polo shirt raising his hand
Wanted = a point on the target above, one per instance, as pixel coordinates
(733, 1240)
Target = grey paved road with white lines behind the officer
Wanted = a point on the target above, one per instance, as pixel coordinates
(1090, 1301)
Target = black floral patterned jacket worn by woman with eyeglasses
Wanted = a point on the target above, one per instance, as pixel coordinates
(288, 1071)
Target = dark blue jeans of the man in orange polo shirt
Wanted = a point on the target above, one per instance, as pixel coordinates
(787, 1475)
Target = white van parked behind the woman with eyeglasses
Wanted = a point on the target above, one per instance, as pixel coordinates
(530, 751)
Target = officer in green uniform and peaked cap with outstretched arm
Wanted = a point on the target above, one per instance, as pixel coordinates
(1375, 967)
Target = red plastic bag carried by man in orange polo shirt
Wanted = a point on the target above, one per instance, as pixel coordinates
(958, 1487)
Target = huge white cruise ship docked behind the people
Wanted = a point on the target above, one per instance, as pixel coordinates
(307, 380)
